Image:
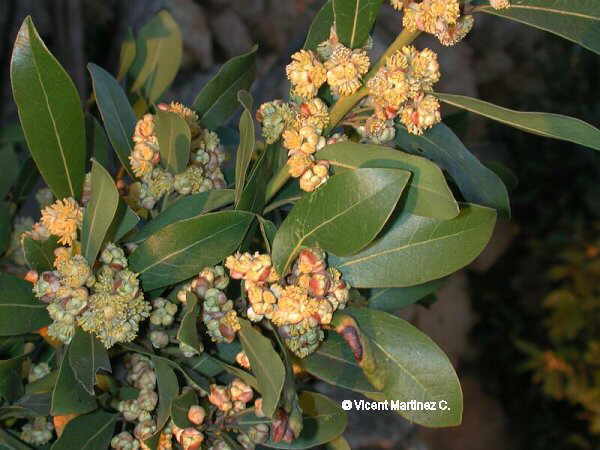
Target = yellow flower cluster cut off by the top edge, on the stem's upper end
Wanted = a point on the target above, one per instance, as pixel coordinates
(441, 18)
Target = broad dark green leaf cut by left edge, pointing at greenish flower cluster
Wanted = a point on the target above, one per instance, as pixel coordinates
(17, 300)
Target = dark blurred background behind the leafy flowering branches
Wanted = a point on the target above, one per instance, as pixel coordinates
(522, 323)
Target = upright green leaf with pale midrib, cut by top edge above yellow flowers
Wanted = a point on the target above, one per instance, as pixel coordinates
(354, 20)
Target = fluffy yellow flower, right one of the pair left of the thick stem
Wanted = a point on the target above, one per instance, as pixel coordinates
(345, 69)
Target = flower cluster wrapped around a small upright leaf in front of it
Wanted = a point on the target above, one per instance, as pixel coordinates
(202, 173)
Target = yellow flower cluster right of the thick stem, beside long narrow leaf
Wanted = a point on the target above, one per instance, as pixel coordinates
(400, 89)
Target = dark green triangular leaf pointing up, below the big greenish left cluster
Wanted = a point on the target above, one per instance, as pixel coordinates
(68, 395)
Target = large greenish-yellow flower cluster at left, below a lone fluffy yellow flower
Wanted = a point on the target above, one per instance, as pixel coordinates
(108, 303)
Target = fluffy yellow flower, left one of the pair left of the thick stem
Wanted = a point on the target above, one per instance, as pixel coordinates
(306, 73)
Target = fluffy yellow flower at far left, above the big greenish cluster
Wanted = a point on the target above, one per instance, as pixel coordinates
(62, 219)
